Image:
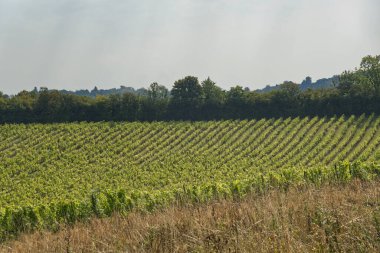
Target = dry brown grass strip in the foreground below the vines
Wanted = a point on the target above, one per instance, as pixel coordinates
(330, 218)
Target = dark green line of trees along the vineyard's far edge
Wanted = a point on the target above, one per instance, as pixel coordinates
(355, 92)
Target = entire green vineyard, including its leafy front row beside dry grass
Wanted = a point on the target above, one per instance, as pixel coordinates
(65, 172)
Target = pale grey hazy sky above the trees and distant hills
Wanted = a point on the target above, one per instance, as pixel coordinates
(75, 44)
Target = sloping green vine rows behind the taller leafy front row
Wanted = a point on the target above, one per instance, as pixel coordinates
(44, 163)
